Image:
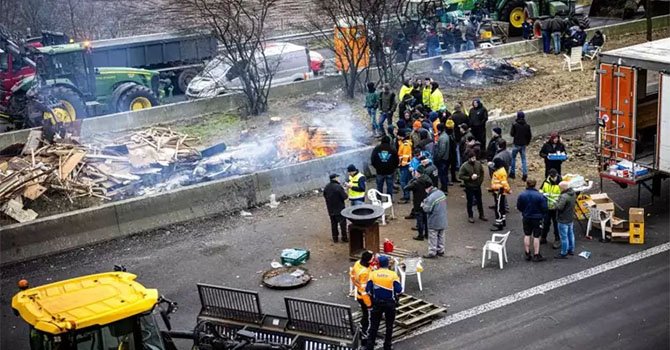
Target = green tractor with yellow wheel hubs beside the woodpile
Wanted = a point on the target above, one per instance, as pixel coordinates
(67, 87)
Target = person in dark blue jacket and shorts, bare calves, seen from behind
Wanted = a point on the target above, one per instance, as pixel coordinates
(533, 207)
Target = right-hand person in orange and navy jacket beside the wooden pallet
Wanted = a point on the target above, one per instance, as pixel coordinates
(384, 288)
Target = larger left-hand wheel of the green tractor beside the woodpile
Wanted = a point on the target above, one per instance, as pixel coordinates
(70, 106)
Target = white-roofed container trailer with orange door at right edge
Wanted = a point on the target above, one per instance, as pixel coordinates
(633, 111)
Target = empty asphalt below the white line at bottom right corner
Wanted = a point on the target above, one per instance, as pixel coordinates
(625, 308)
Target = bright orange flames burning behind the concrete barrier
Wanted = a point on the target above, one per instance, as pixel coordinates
(305, 143)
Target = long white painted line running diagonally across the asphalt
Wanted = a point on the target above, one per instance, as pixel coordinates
(541, 289)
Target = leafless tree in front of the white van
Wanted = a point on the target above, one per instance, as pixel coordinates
(239, 25)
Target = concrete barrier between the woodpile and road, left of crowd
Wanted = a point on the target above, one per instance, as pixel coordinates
(79, 228)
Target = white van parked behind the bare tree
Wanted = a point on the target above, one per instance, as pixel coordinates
(289, 62)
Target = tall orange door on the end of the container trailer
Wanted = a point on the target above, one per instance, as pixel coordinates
(617, 104)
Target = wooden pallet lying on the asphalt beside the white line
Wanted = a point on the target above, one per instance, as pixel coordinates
(413, 313)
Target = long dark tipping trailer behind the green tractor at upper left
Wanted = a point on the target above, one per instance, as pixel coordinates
(176, 56)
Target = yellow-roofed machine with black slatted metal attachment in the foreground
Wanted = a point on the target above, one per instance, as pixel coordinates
(112, 310)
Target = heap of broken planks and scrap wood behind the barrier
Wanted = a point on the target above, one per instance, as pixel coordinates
(104, 171)
